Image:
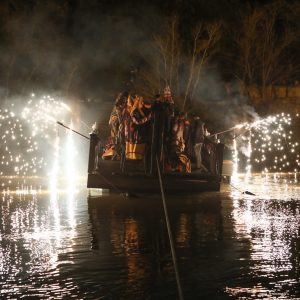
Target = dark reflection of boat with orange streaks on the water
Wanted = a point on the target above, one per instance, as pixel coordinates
(137, 231)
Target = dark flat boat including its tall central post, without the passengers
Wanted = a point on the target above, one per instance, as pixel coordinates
(149, 174)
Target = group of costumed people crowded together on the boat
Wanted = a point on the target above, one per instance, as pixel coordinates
(137, 126)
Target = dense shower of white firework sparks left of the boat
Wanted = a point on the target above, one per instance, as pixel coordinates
(26, 134)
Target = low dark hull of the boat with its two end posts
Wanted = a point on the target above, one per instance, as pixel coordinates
(141, 176)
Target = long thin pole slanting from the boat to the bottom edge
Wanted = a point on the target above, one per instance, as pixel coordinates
(169, 233)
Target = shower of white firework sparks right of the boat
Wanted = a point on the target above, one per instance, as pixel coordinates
(270, 145)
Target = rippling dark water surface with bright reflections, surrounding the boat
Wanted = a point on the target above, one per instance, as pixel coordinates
(61, 243)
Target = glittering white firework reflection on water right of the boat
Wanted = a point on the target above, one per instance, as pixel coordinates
(270, 222)
